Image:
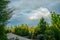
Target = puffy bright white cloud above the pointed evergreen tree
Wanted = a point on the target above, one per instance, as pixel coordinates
(41, 12)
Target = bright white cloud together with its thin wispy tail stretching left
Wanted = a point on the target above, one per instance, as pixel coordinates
(35, 14)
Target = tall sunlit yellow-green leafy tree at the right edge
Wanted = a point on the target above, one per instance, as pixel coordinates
(56, 25)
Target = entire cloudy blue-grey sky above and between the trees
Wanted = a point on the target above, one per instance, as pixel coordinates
(30, 11)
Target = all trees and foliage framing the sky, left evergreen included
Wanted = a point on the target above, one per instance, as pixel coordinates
(42, 31)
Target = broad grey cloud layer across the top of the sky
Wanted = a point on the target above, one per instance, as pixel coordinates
(21, 5)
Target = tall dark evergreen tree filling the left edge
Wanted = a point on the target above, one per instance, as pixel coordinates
(5, 14)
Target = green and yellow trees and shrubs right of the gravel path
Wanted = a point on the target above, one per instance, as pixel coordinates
(43, 31)
